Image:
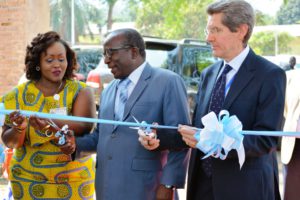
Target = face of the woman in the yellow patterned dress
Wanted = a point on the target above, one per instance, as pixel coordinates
(54, 63)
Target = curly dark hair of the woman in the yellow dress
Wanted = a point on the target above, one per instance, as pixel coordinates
(39, 45)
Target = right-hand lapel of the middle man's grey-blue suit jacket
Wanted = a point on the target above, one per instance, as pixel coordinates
(138, 90)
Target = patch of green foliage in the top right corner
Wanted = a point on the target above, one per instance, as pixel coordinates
(289, 12)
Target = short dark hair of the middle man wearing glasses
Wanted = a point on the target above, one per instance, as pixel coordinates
(132, 37)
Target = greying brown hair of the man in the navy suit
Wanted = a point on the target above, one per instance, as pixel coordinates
(235, 13)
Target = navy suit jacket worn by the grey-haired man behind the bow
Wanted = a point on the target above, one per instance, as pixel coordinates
(256, 97)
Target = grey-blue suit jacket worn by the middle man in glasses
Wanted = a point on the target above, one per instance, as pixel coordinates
(125, 169)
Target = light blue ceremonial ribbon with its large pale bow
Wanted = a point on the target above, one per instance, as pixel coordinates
(217, 135)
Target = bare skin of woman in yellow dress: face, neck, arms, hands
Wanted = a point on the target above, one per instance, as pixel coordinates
(53, 65)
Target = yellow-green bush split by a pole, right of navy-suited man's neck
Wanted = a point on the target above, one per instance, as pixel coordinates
(263, 43)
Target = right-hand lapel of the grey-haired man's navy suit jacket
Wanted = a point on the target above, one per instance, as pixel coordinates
(241, 80)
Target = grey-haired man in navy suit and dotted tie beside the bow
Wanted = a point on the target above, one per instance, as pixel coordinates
(254, 91)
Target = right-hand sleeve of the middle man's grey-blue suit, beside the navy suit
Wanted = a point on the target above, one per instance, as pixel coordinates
(175, 111)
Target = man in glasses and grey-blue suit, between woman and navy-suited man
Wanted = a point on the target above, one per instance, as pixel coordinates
(124, 168)
